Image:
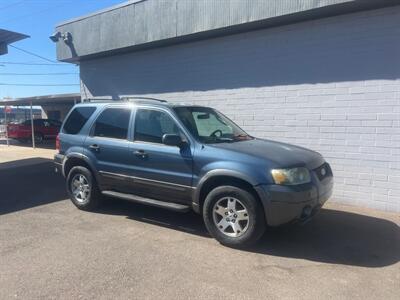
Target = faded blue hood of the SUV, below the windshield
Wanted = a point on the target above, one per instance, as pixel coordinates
(280, 155)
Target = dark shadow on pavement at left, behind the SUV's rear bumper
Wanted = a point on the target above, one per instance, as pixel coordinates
(28, 183)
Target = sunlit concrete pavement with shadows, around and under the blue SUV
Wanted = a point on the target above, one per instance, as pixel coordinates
(51, 250)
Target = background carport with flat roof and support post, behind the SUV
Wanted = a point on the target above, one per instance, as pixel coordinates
(59, 105)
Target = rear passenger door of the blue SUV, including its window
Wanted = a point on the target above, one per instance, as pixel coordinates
(108, 147)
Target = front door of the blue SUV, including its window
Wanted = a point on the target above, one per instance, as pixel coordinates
(160, 171)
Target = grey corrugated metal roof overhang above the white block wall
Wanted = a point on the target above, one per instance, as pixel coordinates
(142, 24)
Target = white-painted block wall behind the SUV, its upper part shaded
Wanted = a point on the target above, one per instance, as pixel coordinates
(332, 85)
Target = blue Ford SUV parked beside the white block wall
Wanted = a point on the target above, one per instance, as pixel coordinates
(183, 157)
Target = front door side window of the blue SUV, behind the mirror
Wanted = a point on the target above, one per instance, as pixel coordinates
(151, 125)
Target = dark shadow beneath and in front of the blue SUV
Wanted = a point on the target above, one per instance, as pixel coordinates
(333, 236)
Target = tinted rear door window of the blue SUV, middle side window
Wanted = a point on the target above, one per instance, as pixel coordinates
(113, 123)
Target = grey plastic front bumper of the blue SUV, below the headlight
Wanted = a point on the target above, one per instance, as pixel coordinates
(285, 204)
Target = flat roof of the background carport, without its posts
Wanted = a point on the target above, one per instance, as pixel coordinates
(43, 100)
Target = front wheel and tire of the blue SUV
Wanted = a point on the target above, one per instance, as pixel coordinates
(233, 216)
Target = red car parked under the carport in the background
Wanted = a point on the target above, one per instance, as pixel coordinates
(44, 129)
